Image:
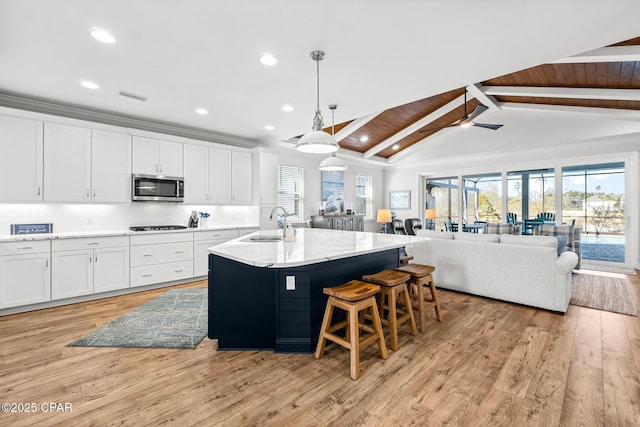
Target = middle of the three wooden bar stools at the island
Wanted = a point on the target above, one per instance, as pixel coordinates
(393, 286)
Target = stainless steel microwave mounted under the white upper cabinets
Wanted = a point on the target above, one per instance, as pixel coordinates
(151, 188)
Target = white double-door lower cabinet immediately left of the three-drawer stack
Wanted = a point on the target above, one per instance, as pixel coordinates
(85, 266)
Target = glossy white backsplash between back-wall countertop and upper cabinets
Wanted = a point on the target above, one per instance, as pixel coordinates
(97, 217)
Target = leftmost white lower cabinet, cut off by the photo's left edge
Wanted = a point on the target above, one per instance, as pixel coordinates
(24, 273)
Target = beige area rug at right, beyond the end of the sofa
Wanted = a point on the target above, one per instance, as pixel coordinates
(603, 293)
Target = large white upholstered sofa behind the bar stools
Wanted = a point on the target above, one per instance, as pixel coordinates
(522, 269)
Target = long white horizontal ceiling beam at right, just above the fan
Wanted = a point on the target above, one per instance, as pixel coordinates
(565, 92)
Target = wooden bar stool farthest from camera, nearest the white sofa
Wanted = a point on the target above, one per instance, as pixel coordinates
(420, 278)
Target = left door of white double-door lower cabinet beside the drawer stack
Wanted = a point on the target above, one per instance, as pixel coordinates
(71, 274)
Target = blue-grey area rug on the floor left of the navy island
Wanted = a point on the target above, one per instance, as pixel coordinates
(175, 319)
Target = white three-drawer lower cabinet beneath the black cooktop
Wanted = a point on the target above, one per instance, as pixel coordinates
(158, 258)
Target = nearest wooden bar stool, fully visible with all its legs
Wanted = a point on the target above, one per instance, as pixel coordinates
(353, 297)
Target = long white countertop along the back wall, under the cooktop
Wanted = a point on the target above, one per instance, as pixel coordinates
(108, 233)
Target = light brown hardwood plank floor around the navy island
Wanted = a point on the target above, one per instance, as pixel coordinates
(488, 363)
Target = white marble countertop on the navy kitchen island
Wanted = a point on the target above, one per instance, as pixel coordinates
(312, 245)
